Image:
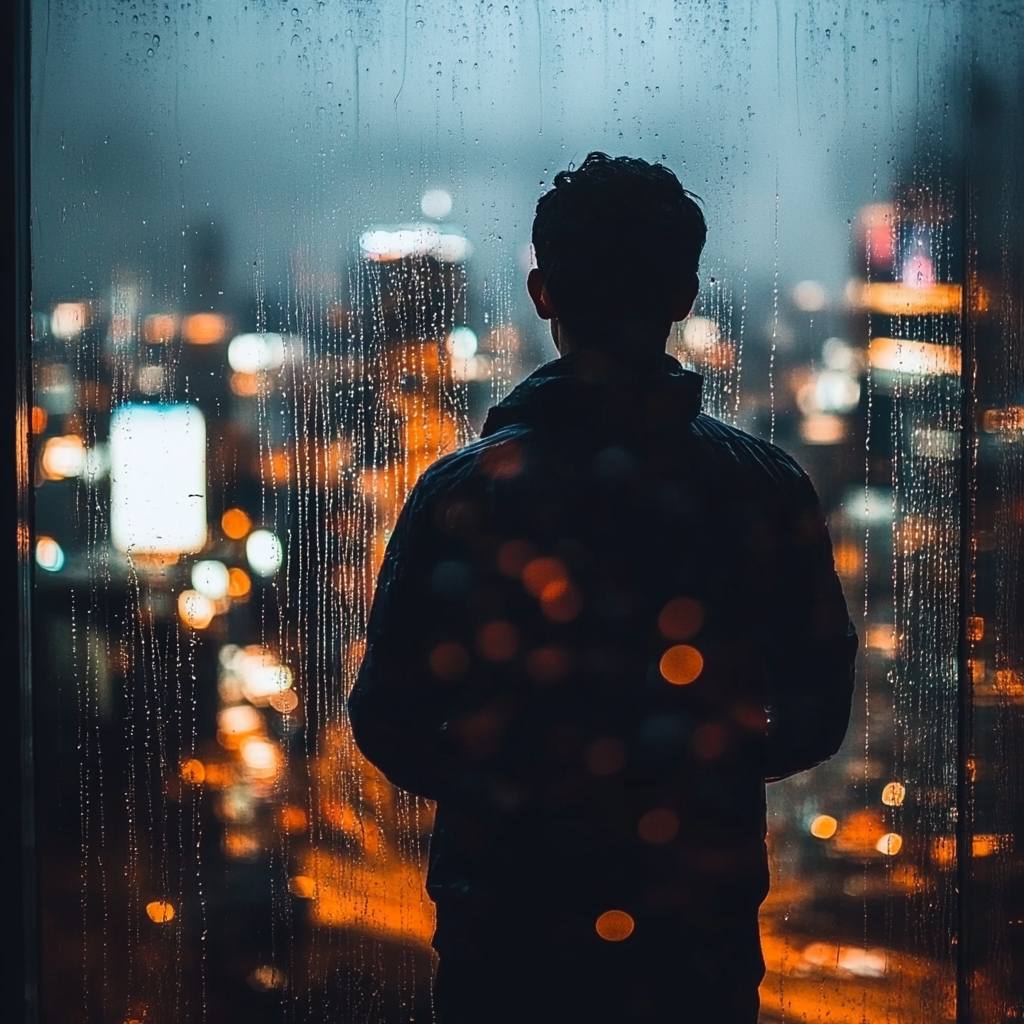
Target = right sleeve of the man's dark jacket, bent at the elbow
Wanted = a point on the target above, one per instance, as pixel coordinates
(813, 645)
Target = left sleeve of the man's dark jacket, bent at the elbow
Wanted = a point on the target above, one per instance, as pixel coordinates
(398, 708)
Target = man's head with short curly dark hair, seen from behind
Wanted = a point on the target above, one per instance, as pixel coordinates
(618, 243)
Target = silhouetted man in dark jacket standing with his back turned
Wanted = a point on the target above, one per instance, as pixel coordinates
(596, 633)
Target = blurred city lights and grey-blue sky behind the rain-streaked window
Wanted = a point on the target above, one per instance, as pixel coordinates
(280, 265)
